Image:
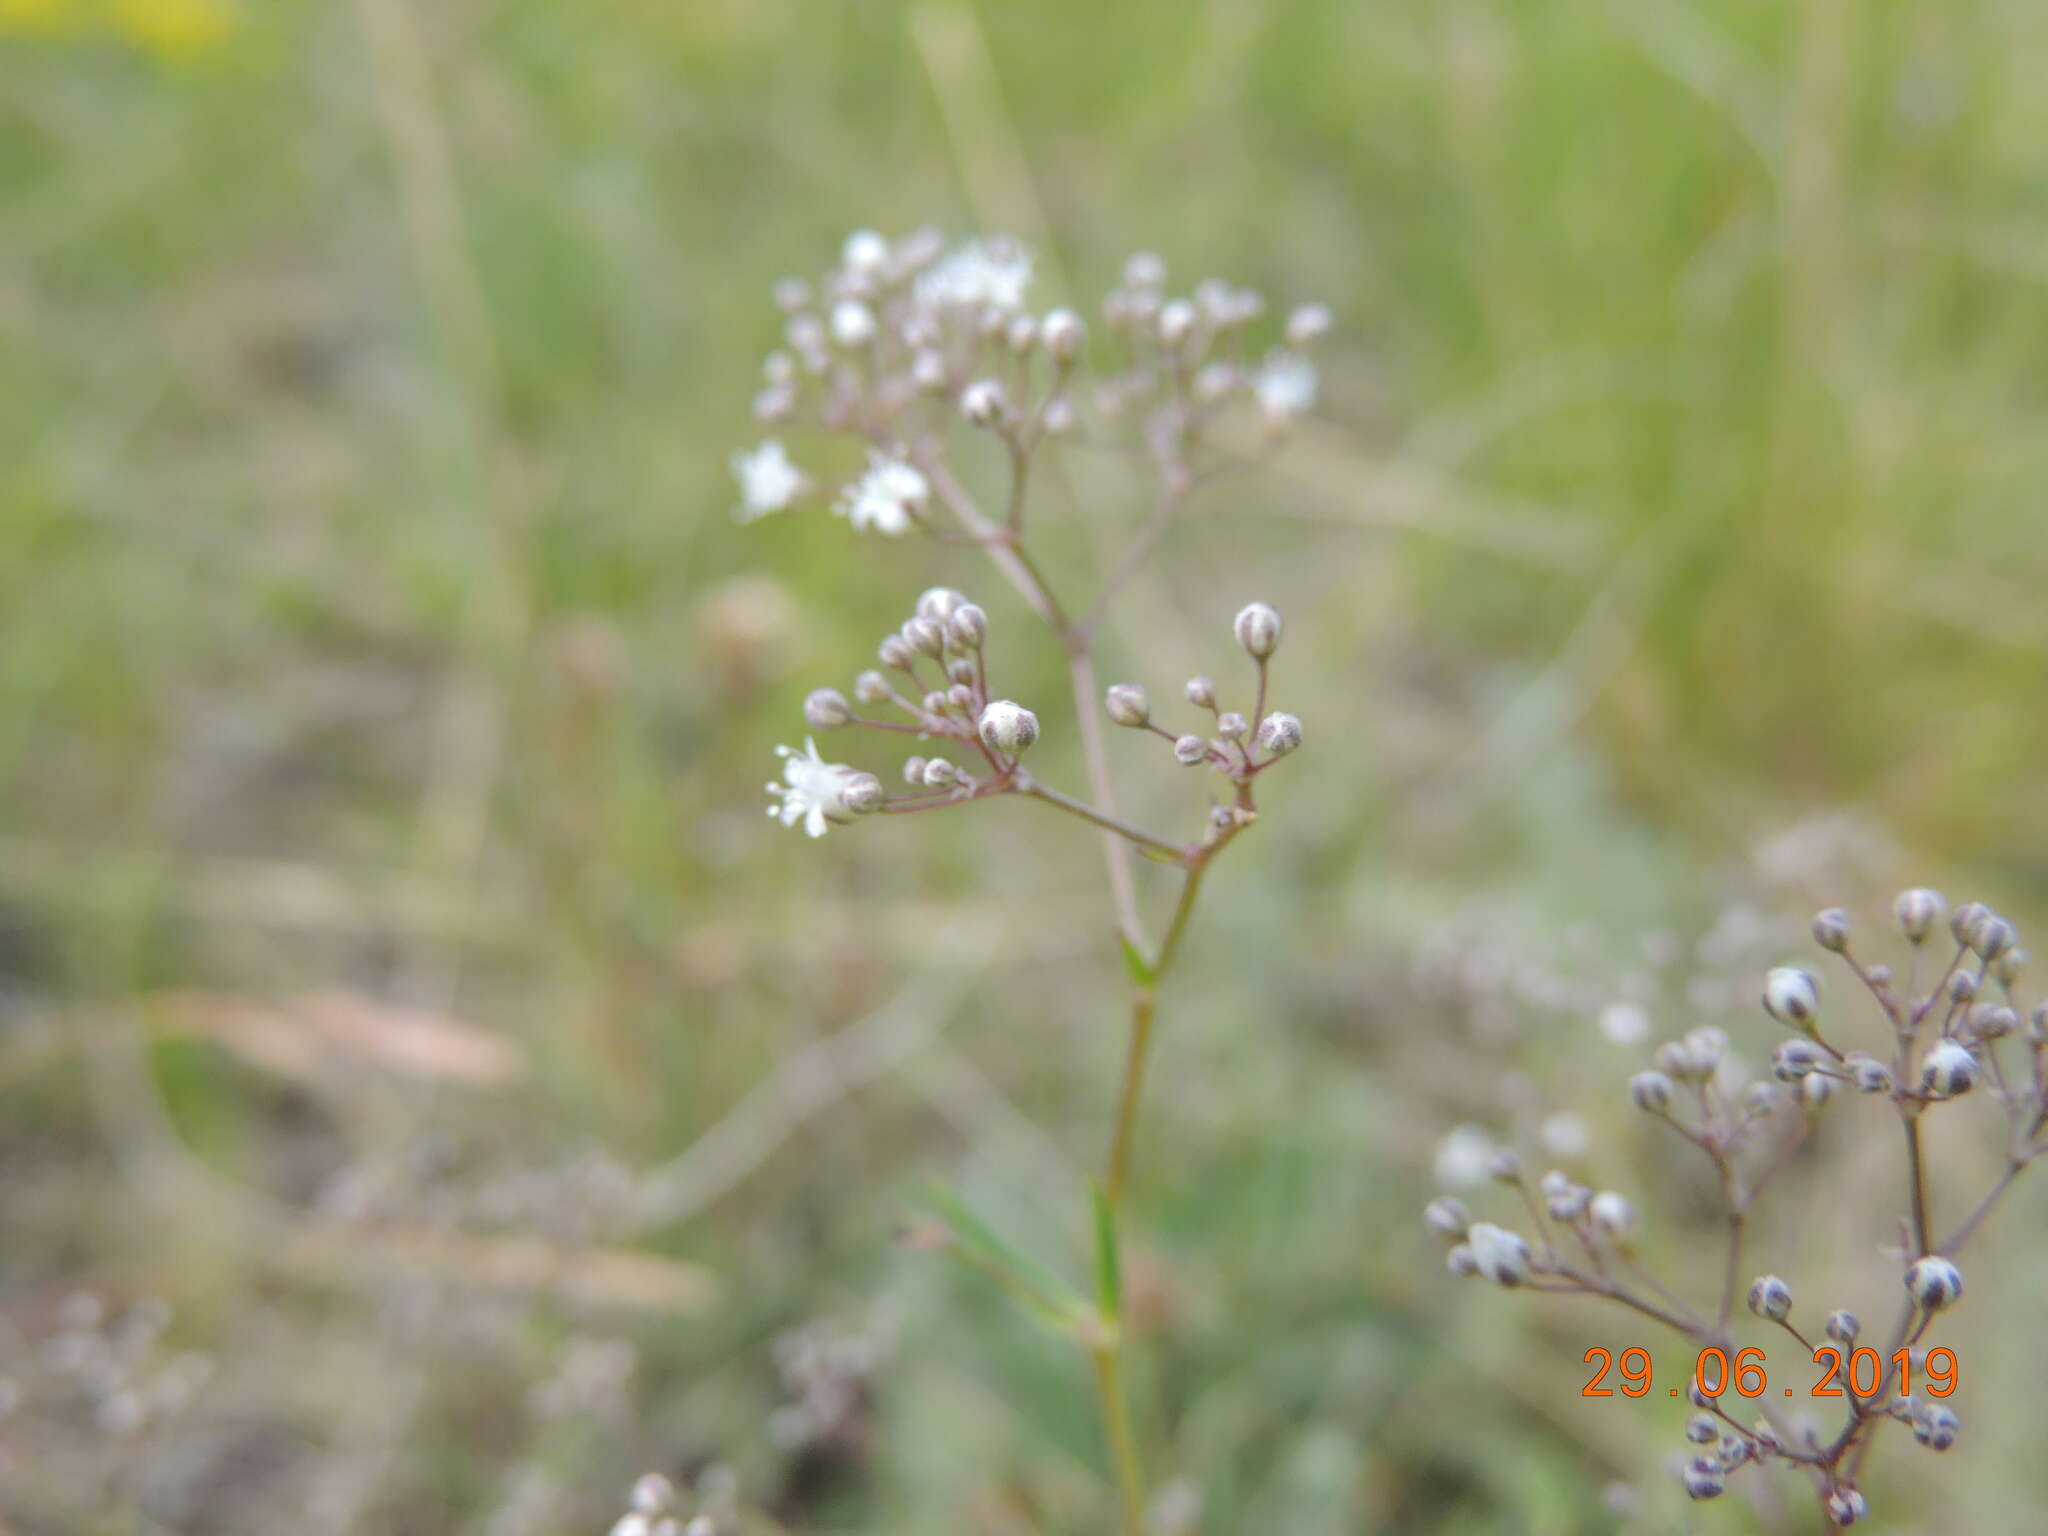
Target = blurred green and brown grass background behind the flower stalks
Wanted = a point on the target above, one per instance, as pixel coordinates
(372, 624)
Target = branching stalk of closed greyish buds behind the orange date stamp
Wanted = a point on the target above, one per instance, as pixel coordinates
(1949, 1027)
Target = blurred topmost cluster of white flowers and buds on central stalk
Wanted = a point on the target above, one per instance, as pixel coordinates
(904, 337)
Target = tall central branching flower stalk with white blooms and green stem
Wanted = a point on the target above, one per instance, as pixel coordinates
(902, 347)
